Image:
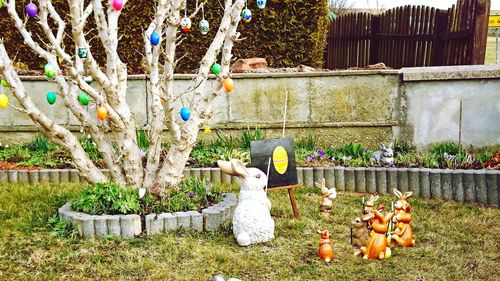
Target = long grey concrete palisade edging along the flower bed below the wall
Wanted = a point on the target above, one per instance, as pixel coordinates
(469, 186)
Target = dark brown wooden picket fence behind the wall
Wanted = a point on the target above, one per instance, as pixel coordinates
(411, 36)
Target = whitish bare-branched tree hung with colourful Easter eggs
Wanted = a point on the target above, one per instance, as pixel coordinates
(115, 138)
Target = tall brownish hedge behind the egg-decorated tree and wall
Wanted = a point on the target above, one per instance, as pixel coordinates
(287, 33)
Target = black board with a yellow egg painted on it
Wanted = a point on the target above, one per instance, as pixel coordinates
(283, 170)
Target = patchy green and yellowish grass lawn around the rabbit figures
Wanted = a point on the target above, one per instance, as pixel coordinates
(454, 242)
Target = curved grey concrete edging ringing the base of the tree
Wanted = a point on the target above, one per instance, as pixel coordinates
(129, 226)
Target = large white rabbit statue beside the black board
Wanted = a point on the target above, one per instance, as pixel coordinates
(252, 222)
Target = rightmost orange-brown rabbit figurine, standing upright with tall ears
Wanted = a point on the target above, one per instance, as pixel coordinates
(402, 217)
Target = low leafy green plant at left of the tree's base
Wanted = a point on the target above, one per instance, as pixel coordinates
(107, 198)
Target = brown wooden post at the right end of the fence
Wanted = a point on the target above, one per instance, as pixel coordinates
(480, 37)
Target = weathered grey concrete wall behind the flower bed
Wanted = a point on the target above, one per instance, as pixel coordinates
(419, 105)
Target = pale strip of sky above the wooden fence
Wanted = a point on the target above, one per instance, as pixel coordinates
(442, 4)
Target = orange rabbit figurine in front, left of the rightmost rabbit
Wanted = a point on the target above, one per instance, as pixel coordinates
(378, 246)
